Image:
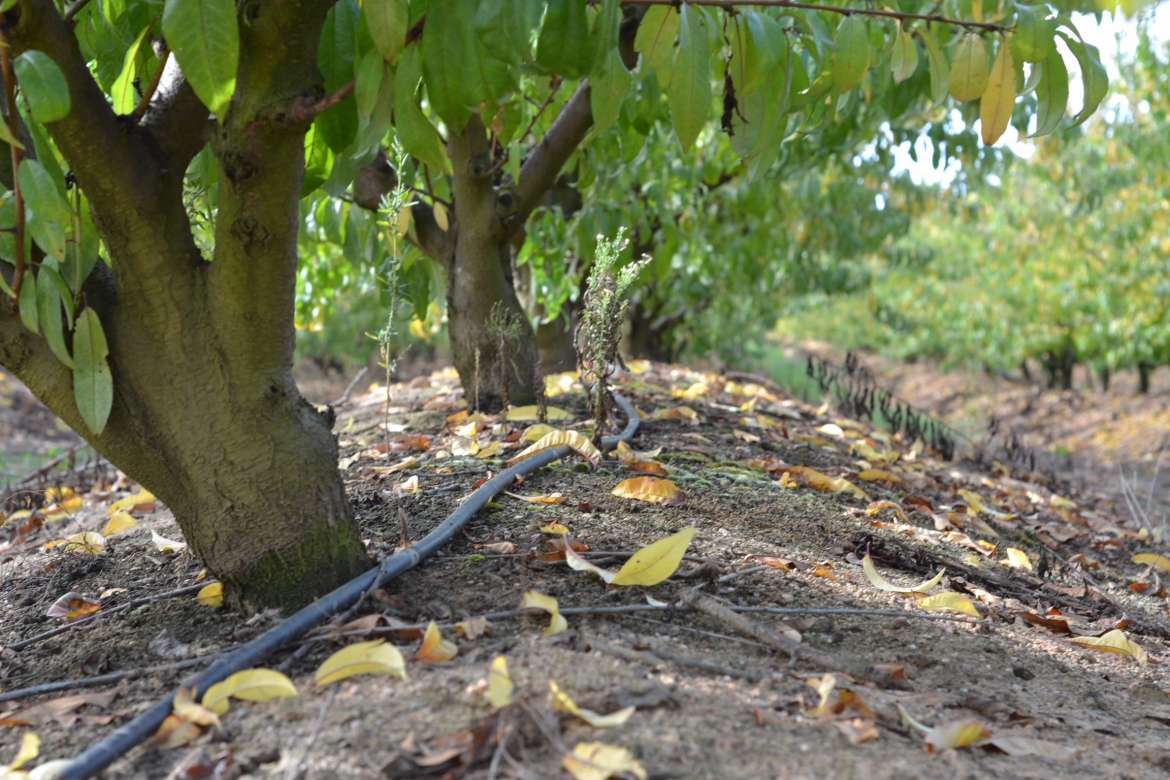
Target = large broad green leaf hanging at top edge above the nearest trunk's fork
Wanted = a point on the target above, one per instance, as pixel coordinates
(205, 39)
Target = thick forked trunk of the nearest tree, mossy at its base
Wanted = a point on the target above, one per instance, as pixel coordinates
(207, 413)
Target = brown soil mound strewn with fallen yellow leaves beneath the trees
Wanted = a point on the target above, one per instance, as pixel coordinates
(787, 500)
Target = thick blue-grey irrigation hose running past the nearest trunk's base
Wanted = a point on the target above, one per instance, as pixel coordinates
(100, 756)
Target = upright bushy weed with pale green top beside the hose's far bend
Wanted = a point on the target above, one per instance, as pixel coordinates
(601, 328)
